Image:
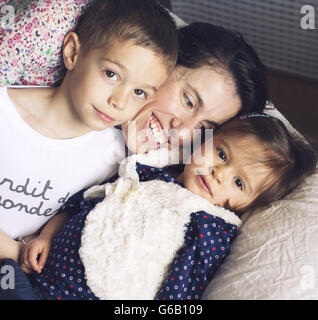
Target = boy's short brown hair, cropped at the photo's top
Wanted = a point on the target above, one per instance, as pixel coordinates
(145, 22)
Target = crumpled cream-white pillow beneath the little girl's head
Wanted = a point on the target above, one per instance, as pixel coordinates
(275, 255)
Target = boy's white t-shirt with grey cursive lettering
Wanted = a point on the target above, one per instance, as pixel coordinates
(38, 174)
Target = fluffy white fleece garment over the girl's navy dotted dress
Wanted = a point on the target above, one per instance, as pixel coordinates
(130, 237)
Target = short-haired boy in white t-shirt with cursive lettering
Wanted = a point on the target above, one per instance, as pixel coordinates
(119, 54)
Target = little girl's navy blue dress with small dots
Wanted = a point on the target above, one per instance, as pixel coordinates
(206, 244)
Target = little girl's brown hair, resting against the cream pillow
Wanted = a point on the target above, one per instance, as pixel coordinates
(289, 159)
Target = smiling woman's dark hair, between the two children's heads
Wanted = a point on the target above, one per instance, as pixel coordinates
(206, 44)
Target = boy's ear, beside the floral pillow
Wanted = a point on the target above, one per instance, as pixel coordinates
(71, 49)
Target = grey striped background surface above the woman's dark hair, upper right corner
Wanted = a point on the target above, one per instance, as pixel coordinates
(273, 27)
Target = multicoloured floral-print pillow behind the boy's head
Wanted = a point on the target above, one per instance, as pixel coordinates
(31, 39)
